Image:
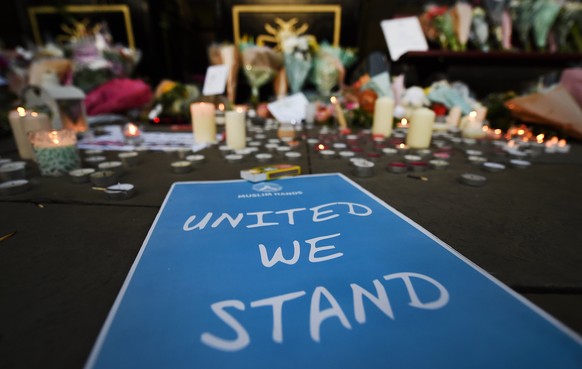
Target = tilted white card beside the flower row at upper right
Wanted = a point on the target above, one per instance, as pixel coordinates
(403, 35)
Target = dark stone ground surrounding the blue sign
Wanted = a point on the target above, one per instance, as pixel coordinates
(73, 247)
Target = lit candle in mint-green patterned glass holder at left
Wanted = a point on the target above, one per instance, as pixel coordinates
(55, 151)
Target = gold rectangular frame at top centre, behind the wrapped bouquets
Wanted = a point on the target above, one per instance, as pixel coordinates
(336, 10)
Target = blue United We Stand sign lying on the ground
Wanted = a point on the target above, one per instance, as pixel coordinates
(314, 272)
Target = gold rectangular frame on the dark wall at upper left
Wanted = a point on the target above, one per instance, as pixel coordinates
(35, 11)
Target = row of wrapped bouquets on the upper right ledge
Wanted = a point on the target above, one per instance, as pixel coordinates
(545, 25)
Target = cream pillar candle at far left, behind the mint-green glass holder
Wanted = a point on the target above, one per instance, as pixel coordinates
(22, 122)
